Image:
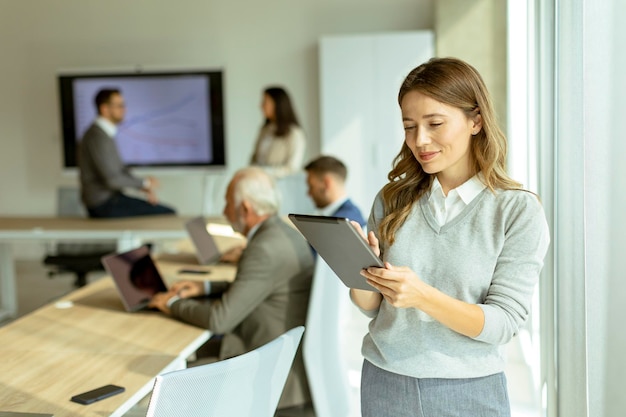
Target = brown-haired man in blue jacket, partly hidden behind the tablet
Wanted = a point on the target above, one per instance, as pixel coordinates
(326, 178)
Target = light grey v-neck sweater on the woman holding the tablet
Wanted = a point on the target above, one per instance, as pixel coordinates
(491, 254)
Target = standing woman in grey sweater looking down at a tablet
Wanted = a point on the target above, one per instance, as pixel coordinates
(462, 244)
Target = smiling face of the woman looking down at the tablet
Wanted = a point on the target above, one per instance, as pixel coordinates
(439, 136)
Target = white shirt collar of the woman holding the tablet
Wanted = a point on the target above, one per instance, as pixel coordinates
(446, 208)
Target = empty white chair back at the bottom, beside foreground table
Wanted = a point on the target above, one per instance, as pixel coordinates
(248, 385)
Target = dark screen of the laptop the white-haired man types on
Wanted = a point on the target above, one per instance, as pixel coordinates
(136, 277)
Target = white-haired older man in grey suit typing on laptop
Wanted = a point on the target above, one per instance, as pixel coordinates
(270, 293)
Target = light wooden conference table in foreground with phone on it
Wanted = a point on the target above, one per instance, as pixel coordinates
(85, 340)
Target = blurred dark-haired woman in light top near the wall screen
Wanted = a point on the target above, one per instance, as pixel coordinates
(281, 143)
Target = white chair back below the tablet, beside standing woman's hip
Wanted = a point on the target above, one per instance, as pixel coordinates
(327, 371)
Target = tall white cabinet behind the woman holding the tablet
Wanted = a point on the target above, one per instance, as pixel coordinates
(360, 118)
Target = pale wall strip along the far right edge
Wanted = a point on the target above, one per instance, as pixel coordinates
(605, 203)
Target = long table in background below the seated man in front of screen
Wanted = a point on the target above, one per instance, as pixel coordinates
(128, 232)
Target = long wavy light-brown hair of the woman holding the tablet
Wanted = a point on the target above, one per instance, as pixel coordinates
(458, 84)
